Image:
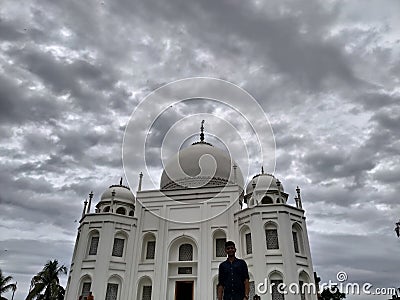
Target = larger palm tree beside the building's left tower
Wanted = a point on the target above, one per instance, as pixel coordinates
(45, 285)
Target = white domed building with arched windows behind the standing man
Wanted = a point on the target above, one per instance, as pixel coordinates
(168, 243)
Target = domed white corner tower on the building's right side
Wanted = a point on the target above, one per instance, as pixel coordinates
(273, 239)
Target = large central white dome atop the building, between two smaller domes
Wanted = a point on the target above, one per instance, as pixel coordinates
(200, 165)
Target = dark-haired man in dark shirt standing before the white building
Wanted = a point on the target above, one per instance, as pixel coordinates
(233, 276)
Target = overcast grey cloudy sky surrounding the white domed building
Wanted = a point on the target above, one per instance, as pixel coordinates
(325, 72)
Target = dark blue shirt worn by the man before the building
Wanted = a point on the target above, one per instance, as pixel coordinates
(232, 276)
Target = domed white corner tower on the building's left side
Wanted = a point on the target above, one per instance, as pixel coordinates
(102, 257)
